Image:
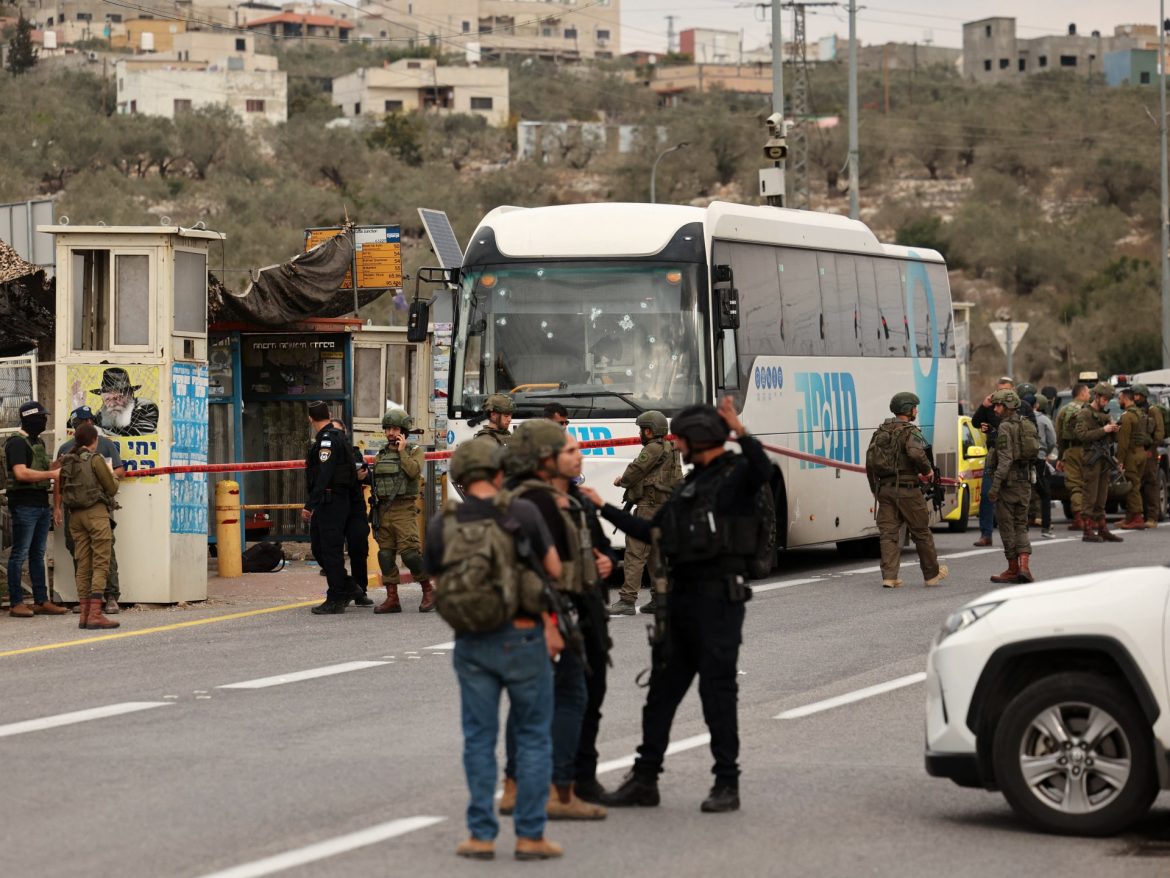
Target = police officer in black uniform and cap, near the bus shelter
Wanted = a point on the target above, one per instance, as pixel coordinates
(335, 519)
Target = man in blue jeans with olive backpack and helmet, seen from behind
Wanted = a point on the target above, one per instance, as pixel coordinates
(514, 657)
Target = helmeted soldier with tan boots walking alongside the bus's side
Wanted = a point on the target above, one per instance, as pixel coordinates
(896, 464)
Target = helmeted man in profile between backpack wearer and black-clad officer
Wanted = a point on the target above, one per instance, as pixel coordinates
(543, 463)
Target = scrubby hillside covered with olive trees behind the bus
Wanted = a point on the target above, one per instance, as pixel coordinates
(1043, 196)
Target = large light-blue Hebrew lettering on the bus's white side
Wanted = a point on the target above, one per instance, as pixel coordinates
(828, 417)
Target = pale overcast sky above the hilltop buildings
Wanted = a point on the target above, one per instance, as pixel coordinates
(644, 24)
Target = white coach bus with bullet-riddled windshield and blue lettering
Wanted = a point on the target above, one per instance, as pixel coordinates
(807, 319)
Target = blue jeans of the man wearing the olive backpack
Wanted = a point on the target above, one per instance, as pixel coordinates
(517, 661)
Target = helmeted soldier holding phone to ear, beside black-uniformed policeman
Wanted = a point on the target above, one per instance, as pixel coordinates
(397, 471)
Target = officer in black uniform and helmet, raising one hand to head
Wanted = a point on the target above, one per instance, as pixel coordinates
(708, 537)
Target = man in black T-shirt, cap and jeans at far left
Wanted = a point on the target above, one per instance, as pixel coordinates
(30, 492)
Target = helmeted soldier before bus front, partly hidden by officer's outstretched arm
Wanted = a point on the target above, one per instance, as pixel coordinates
(649, 482)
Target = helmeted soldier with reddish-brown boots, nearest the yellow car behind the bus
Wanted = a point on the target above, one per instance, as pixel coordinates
(1013, 464)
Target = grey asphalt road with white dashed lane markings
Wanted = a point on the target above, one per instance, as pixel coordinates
(359, 773)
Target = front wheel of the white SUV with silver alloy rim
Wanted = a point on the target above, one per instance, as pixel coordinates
(1073, 754)
